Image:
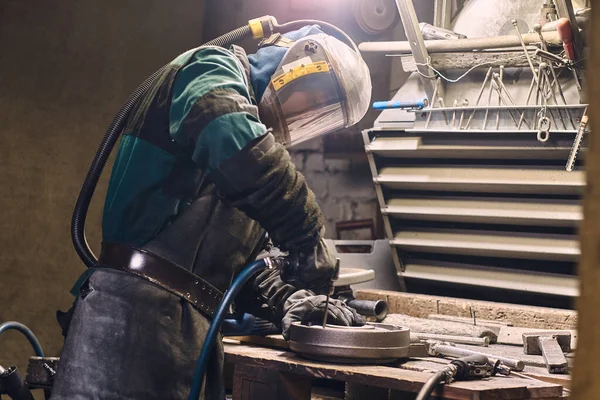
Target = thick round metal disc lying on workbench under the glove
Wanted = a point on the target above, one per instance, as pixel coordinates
(373, 343)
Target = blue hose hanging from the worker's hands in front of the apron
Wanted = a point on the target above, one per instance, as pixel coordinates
(220, 314)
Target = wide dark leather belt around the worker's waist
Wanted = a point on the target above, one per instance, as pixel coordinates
(171, 277)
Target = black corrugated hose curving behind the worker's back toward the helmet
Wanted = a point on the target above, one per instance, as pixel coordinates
(108, 143)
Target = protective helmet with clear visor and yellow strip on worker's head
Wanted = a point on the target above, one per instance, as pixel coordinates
(321, 85)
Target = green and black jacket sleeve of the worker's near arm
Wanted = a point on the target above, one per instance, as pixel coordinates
(212, 116)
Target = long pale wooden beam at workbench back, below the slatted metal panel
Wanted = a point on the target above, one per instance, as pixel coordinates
(421, 305)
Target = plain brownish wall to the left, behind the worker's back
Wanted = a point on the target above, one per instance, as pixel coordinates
(65, 68)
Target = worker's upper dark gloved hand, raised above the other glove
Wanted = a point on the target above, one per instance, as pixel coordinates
(311, 268)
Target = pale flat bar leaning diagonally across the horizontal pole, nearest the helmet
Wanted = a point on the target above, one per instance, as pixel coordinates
(410, 22)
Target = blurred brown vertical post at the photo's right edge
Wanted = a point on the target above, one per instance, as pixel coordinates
(586, 384)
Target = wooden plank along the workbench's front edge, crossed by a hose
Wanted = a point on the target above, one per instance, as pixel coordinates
(388, 377)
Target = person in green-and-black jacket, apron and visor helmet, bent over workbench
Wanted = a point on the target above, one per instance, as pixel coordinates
(201, 175)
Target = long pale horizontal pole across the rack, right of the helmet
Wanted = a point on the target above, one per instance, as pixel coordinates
(442, 46)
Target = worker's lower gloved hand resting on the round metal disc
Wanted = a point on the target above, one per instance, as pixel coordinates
(303, 306)
